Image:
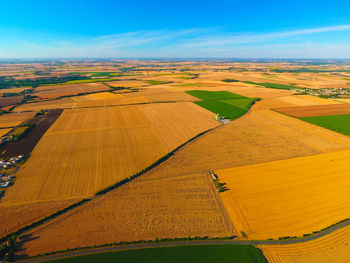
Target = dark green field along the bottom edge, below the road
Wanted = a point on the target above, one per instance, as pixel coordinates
(183, 254)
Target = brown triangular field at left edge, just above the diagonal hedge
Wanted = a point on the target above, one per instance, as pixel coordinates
(14, 217)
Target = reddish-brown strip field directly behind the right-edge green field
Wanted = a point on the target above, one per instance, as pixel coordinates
(318, 110)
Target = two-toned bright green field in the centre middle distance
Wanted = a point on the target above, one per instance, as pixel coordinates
(229, 105)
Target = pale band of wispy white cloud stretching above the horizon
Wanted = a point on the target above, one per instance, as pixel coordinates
(194, 42)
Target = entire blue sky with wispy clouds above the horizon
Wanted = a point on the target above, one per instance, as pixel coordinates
(133, 28)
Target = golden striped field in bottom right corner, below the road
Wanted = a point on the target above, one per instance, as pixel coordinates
(333, 248)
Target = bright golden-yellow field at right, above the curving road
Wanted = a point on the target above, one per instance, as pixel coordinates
(288, 197)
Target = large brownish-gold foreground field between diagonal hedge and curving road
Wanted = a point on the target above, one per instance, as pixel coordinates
(145, 209)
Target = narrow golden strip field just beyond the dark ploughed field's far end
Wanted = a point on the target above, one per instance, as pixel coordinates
(64, 103)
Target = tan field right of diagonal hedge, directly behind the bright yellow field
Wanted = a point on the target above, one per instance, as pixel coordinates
(257, 137)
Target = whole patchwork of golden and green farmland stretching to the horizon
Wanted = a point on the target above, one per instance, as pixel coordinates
(90, 126)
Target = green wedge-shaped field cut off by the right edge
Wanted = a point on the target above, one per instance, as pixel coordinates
(338, 123)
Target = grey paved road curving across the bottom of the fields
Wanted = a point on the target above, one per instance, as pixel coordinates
(195, 242)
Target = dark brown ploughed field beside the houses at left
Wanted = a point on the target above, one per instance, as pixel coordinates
(26, 144)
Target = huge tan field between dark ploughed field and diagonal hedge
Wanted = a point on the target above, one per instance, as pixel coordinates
(88, 149)
